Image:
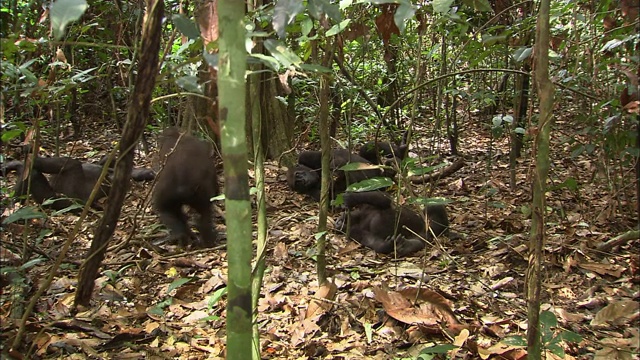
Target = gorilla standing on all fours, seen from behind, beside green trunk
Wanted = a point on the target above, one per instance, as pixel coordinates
(188, 178)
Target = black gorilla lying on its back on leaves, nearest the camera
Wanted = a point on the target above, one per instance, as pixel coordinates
(377, 224)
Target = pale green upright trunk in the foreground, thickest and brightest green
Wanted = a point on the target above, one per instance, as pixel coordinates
(232, 66)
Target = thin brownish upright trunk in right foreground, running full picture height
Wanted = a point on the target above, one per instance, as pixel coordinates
(545, 92)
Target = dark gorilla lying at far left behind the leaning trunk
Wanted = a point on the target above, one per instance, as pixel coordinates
(70, 179)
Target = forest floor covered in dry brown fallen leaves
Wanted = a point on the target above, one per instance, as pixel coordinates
(470, 291)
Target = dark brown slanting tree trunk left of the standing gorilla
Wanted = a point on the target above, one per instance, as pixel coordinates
(136, 119)
